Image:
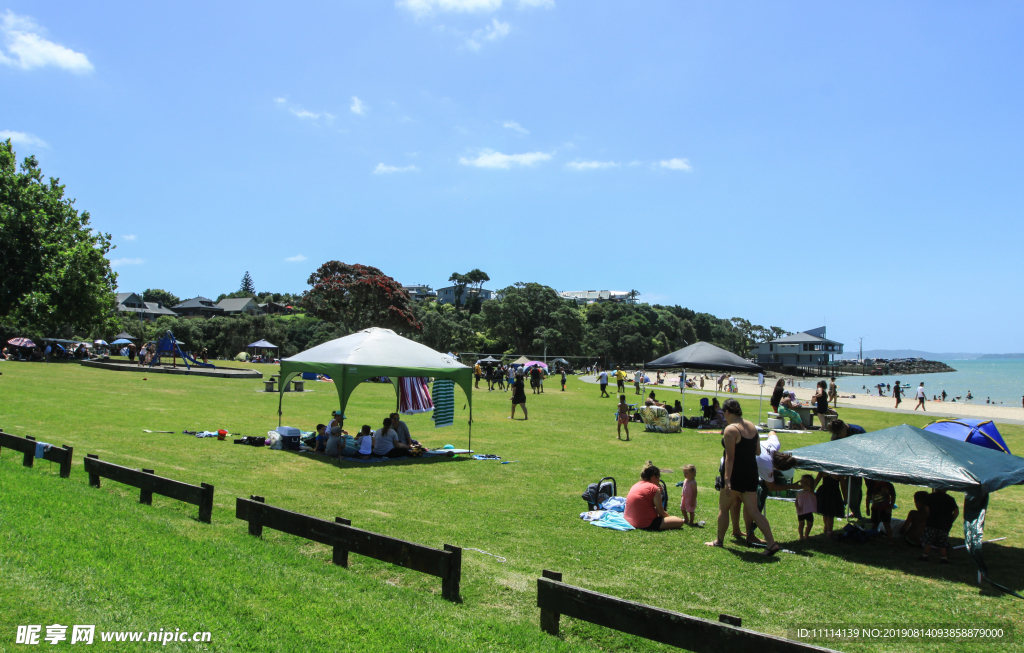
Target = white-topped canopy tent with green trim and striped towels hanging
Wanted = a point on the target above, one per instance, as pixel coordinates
(376, 353)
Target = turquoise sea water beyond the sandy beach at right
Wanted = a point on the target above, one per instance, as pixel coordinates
(999, 381)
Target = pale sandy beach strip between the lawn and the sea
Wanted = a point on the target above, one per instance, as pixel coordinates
(748, 386)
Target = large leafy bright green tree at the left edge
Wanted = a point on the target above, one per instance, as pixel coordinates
(56, 278)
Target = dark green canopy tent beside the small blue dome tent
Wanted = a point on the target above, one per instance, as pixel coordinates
(915, 457)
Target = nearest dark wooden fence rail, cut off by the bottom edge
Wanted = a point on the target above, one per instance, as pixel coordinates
(694, 634)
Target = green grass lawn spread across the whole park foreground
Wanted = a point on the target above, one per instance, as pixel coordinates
(71, 554)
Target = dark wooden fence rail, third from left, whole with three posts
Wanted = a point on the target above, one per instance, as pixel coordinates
(344, 538)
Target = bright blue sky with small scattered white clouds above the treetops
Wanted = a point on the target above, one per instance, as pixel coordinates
(791, 163)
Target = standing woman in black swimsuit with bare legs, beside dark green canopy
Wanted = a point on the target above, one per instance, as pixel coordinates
(741, 475)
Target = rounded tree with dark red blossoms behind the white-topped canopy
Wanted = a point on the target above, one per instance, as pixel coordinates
(358, 297)
